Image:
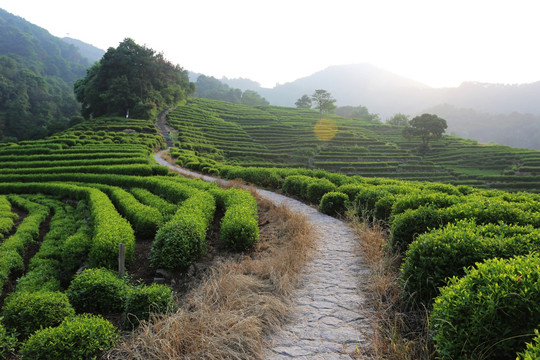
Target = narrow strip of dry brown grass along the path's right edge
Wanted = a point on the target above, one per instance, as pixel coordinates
(400, 332)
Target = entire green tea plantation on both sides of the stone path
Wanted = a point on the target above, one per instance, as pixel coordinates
(465, 218)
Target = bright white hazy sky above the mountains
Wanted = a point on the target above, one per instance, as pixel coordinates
(440, 43)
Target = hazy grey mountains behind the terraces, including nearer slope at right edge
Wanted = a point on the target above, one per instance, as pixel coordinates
(500, 113)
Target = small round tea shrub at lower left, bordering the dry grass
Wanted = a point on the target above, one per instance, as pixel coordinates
(143, 300)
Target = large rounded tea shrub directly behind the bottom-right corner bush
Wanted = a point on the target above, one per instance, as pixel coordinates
(442, 253)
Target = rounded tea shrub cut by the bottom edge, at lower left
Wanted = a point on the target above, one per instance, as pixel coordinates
(80, 337)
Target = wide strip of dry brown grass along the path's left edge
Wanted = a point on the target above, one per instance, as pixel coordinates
(229, 314)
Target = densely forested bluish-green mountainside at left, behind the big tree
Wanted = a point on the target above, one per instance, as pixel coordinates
(37, 72)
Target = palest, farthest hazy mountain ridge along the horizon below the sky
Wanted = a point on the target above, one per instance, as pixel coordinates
(386, 93)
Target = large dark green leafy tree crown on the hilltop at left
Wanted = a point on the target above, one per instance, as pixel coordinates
(131, 79)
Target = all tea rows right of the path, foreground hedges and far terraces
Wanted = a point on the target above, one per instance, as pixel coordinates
(469, 246)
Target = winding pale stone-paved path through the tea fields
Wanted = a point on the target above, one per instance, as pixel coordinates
(331, 318)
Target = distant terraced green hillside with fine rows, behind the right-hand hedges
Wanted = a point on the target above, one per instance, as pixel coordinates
(287, 137)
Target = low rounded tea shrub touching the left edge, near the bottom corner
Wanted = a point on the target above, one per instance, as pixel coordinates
(26, 312)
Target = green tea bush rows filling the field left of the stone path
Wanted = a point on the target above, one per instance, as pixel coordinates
(67, 203)
